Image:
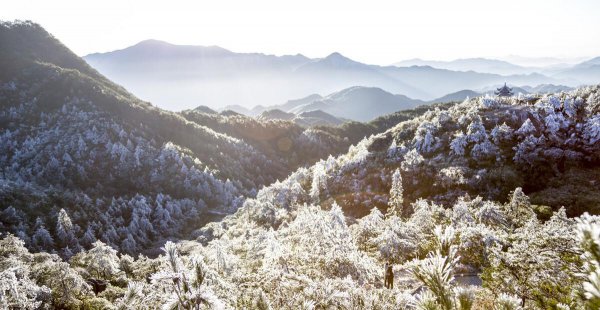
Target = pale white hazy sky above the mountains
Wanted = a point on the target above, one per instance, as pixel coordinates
(373, 31)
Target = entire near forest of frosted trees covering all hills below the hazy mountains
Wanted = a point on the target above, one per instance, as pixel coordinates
(105, 200)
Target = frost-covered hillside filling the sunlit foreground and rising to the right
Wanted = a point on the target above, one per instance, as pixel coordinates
(455, 236)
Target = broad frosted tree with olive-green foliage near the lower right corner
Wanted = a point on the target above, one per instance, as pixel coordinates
(539, 260)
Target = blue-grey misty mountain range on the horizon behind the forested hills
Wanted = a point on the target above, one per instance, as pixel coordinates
(178, 77)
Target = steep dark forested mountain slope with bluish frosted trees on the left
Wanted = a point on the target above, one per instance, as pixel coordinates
(126, 172)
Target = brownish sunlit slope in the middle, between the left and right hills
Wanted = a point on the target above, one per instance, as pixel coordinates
(295, 143)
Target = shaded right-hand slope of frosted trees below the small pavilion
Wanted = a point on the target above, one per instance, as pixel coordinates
(481, 147)
